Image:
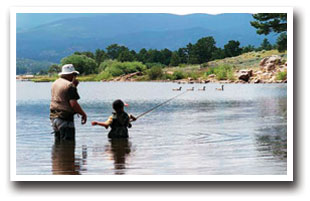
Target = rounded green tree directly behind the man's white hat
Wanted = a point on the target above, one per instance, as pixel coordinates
(82, 63)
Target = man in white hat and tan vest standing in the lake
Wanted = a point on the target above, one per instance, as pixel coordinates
(64, 104)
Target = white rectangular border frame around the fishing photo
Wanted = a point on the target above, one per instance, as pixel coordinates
(174, 10)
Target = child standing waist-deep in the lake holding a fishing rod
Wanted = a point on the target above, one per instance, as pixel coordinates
(118, 122)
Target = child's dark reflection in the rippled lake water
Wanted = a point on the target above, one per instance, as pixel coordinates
(119, 149)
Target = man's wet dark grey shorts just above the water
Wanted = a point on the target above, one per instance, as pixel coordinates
(64, 130)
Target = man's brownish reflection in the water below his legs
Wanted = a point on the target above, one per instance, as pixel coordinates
(63, 158)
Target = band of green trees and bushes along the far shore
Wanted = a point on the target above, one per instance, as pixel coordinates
(204, 50)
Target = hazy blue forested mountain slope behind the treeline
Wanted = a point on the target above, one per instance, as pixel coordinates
(54, 38)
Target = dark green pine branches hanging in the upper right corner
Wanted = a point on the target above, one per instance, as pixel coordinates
(270, 22)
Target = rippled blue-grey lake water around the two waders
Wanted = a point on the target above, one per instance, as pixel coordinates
(238, 131)
